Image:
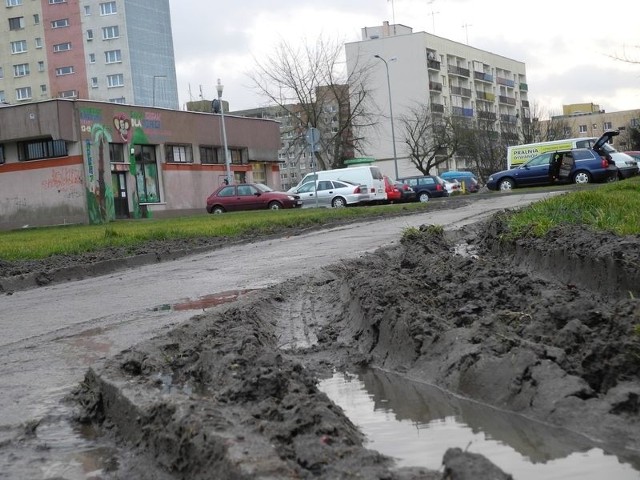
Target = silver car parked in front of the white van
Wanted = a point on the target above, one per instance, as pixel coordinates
(332, 193)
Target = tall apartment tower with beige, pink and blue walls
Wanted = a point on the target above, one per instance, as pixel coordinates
(119, 51)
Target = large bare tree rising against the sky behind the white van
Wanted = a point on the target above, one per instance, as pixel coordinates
(311, 83)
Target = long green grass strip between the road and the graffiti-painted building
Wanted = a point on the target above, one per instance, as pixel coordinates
(31, 244)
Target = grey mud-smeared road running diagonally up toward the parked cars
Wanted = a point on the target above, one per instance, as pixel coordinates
(50, 335)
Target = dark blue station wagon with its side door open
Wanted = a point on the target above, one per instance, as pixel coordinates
(578, 165)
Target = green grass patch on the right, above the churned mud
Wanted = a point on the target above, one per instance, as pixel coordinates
(614, 207)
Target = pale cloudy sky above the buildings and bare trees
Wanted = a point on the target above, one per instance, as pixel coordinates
(572, 53)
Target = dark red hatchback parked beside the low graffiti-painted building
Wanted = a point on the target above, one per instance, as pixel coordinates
(249, 196)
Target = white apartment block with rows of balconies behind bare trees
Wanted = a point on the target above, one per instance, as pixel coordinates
(450, 78)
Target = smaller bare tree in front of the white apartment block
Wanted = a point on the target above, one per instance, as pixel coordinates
(431, 139)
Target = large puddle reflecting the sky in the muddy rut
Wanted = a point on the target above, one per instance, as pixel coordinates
(416, 424)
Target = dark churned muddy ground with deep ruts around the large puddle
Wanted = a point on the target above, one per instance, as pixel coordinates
(548, 328)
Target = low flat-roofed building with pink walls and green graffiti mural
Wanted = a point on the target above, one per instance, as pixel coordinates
(79, 161)
